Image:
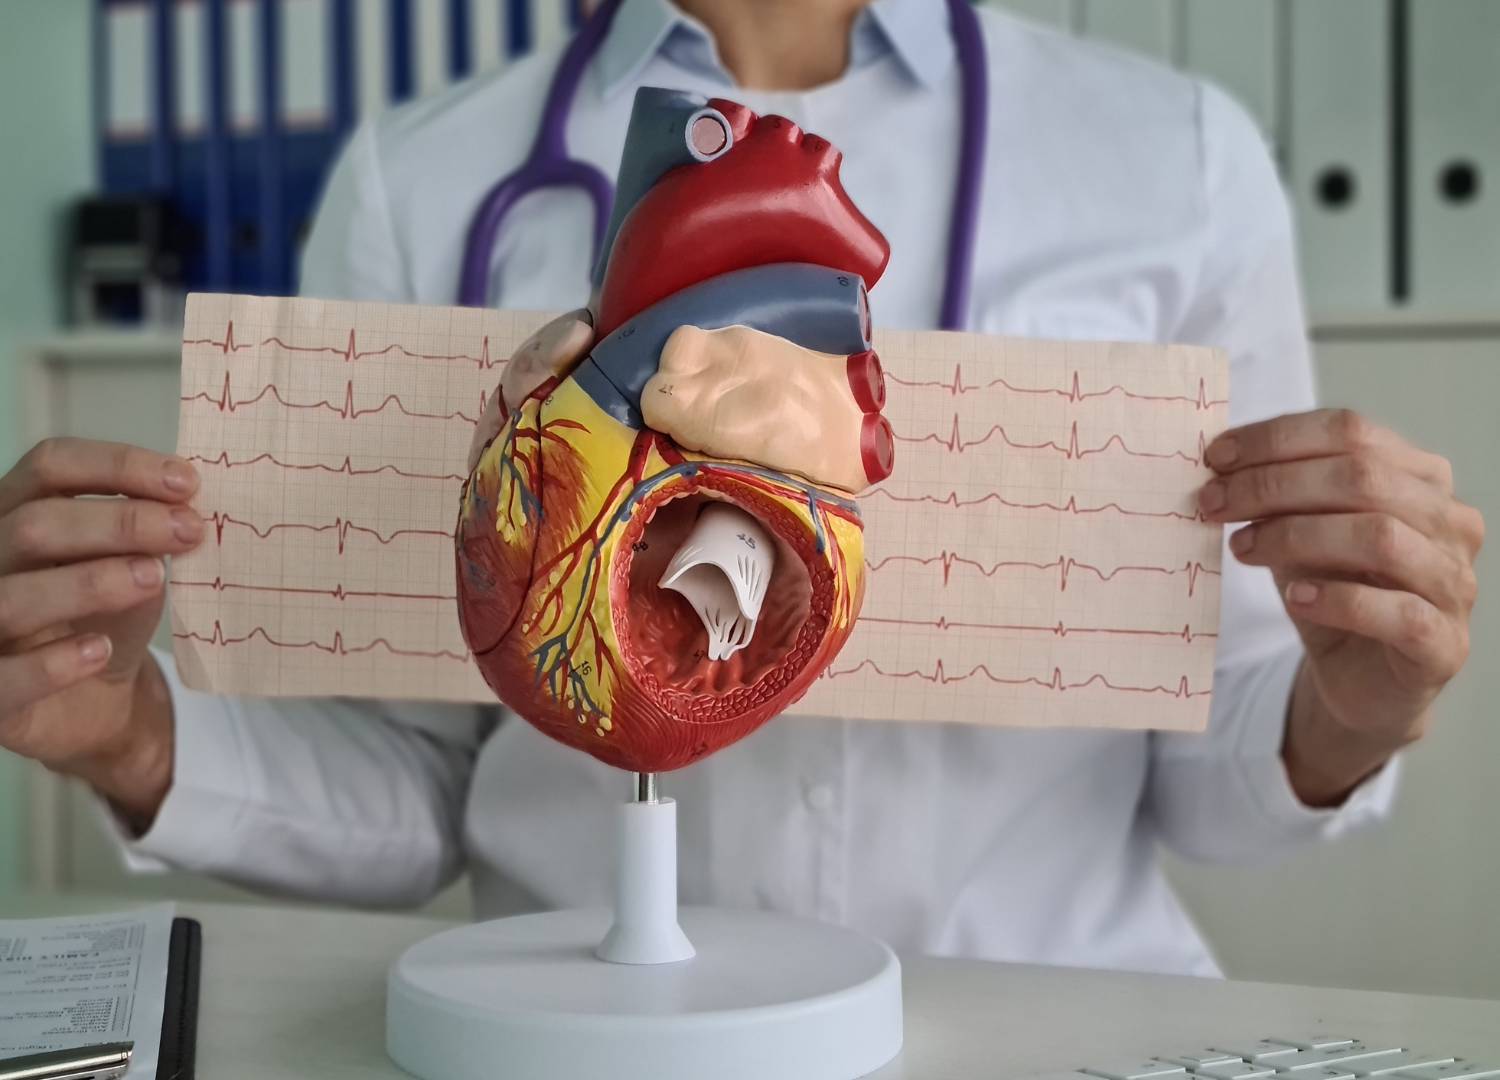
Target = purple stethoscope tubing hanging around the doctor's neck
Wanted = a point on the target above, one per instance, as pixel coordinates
(550, 166)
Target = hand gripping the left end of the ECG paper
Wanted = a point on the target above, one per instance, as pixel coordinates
(82, 589)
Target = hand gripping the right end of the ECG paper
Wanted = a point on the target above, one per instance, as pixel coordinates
(1375, 559)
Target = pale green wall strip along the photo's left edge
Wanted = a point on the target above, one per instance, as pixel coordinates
(46, 127)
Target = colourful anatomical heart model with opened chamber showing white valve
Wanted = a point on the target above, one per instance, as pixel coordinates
(661, 551)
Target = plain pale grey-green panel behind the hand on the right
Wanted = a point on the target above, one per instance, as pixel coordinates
(1414, 905)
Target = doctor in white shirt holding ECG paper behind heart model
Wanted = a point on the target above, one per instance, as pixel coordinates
(1120, 200)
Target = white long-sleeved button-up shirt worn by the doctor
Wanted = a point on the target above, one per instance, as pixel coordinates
(1121, 202)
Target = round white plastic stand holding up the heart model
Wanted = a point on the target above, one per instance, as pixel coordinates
(583, 995)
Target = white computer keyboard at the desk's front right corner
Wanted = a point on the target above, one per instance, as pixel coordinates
(1276, 1058)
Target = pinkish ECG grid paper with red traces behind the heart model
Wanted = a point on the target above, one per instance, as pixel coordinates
(1036, 559)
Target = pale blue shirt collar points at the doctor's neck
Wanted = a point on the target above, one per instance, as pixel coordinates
(914, 31)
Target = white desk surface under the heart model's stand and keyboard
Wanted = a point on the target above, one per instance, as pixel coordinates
(292, 994)
